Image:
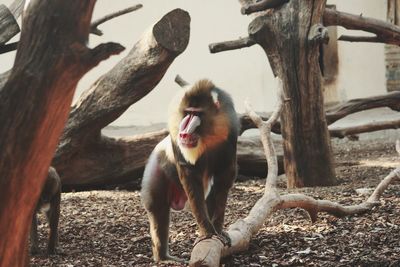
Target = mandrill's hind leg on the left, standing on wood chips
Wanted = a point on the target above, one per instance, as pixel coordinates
(154, 196)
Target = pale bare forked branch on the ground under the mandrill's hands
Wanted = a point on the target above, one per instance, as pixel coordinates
(209, 251)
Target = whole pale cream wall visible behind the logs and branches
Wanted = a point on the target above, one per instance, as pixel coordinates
(244, 73)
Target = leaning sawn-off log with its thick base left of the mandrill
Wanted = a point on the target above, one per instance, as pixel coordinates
(84, 155)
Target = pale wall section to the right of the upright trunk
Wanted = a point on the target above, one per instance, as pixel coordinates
(361, 65)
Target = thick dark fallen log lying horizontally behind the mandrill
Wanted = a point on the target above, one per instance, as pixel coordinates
(126, 158)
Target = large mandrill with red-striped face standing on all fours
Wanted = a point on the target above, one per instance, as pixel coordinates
(195, 163)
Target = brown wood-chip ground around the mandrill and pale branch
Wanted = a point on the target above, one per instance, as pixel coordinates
(110, 228)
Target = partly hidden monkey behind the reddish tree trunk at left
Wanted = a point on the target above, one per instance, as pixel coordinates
(49, 202)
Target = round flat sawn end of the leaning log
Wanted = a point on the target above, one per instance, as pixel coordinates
(173, 31)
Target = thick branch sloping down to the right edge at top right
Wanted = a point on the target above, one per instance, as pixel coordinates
(387, 32)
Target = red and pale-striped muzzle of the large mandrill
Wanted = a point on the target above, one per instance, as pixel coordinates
(187, 136)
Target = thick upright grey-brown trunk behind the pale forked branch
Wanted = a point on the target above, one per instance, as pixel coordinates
(284, 36)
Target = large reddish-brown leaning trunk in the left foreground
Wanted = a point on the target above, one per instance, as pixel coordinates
(35, 103)
